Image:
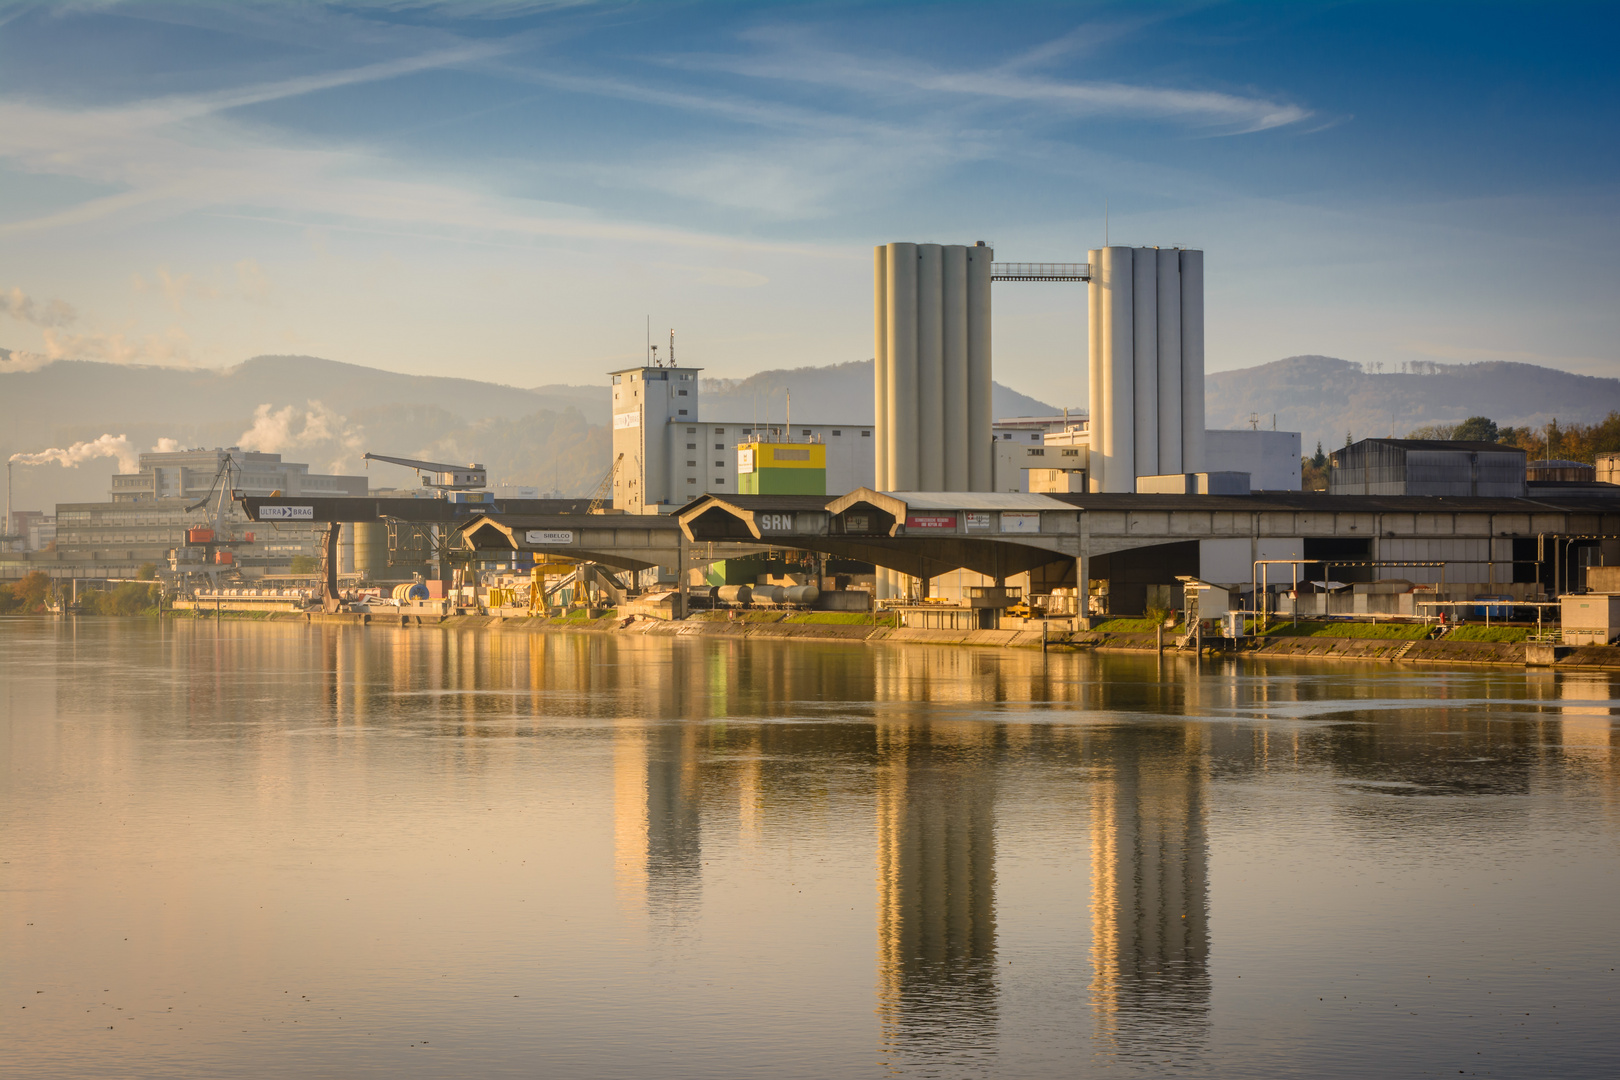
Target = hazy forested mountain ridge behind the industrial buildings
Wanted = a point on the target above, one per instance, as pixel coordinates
(328, 414)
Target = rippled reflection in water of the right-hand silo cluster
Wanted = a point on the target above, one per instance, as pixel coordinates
(1151, 942)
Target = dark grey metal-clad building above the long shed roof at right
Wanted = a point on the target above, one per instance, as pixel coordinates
(1420, 467)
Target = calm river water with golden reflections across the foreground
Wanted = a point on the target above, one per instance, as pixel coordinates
(266, 851)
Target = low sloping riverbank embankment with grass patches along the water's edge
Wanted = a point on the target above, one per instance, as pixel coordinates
(1315, 648)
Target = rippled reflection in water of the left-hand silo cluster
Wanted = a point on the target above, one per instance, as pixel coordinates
(937, 904)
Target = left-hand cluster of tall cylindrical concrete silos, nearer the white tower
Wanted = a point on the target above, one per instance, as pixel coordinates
(932, 373)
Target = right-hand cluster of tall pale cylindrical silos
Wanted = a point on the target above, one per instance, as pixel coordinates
(1146, 365)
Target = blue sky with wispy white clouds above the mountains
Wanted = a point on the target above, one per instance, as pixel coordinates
(526, 192)
